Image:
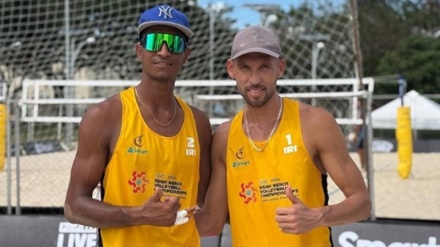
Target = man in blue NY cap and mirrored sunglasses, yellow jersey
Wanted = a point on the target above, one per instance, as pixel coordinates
(148, 149)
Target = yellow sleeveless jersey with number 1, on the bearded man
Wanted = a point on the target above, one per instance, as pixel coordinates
(256, 184)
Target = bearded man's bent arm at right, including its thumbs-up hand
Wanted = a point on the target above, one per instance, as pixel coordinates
(326, 145)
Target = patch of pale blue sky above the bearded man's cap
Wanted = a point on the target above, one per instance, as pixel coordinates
(245, 15)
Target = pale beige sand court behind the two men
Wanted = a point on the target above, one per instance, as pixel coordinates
(44, 179)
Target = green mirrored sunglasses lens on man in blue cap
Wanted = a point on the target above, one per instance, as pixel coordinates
(174, 43)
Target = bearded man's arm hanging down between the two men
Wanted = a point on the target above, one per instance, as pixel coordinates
(211, 219)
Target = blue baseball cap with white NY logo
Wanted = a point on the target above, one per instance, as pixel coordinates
(164, 15)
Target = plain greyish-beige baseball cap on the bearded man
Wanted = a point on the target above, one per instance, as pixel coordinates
(255, 39)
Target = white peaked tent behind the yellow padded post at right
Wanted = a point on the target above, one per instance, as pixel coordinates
(425, 113)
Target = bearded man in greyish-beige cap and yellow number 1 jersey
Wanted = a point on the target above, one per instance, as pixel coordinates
(271, 161)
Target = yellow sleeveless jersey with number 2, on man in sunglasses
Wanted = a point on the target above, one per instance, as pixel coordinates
(142, 160)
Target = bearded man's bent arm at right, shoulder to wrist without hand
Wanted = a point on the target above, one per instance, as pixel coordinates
(334, 156)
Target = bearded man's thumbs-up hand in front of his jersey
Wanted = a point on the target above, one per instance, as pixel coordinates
(296, 219)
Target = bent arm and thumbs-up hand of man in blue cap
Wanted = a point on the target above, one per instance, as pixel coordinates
(96, 133)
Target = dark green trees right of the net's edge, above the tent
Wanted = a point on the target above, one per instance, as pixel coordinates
(400, 29)
